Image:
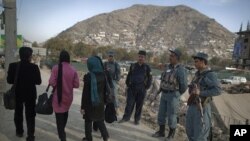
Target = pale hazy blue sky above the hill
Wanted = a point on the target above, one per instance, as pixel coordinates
(39, 20)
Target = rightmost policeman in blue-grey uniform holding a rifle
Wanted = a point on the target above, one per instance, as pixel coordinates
(203, 86)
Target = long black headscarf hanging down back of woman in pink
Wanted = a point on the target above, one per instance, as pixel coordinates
(64, 57)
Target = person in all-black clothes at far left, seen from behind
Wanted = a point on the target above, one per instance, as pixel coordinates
(28, 76)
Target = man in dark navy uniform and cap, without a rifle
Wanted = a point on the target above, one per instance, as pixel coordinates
(138, 81)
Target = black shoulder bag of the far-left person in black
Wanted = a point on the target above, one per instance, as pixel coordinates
(9, 97)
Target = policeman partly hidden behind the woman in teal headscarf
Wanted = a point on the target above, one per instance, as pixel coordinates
(113, 68)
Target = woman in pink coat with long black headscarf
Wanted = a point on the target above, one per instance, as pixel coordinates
(63, 79)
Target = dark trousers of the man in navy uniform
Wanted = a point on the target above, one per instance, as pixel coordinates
(135, 98)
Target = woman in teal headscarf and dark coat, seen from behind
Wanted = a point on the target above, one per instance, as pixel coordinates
(92, 106)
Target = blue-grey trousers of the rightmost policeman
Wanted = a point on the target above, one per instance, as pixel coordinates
(195, 130)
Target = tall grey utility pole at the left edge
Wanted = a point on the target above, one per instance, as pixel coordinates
(10, 35)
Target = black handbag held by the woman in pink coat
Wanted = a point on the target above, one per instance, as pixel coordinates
(44, 104)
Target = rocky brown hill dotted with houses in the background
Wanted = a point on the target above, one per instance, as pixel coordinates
(154, 28)
